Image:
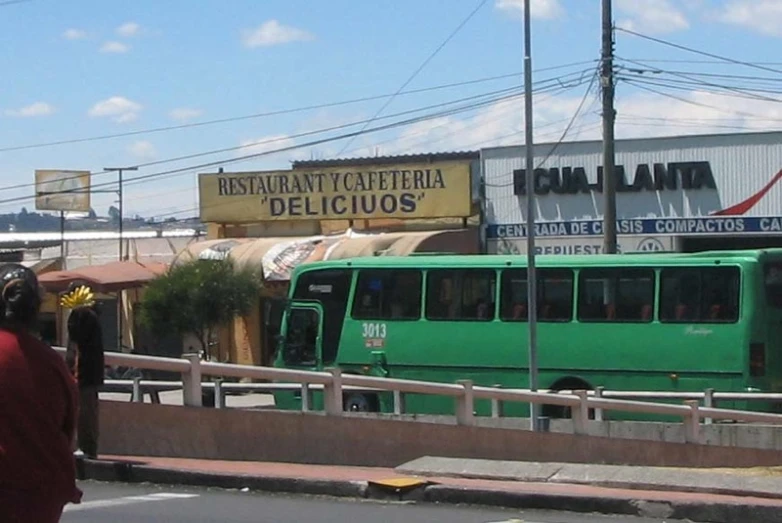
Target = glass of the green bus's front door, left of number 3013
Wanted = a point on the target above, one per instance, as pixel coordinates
(302, 335)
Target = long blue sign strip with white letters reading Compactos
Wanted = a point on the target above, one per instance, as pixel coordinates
(714, 225)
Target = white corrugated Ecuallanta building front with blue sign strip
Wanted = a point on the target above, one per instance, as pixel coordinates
(673, 194)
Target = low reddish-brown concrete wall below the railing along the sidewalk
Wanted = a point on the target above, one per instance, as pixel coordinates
(162, 430)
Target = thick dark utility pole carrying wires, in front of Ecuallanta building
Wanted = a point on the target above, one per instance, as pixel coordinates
(609, 115)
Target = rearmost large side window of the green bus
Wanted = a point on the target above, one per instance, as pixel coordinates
(700, 295)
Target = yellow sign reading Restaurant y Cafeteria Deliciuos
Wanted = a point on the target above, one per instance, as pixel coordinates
(436, 190)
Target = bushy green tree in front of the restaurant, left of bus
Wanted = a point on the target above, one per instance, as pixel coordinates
(199, 297)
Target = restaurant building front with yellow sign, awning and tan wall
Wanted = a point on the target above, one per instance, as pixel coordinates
(274, 221)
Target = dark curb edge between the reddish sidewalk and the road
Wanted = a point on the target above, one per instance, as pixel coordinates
(711, 512)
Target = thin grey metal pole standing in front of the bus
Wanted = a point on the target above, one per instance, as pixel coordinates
(532, 302)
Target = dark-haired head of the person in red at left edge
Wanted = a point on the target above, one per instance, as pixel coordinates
(21, 296)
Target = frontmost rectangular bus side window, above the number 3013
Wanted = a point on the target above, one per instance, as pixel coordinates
(388, 295)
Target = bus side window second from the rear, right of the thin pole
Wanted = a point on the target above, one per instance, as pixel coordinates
(623, 295)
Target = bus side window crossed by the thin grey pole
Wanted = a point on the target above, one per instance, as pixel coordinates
(554, 290)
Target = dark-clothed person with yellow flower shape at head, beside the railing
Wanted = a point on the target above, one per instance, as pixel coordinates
(86, 360)
